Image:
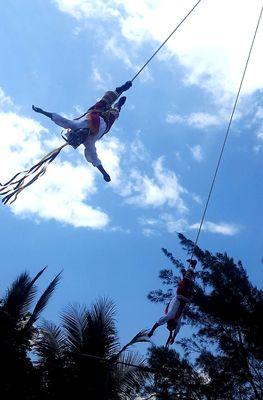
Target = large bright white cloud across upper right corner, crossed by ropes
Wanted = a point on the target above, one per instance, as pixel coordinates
(213, 57)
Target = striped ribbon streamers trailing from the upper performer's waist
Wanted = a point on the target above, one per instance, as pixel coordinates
(14, 186)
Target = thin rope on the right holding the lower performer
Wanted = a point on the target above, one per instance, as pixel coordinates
(227, 133)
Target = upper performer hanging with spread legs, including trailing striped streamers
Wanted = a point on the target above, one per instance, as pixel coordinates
(86, 130)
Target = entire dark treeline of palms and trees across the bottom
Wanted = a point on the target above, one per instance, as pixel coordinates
(83, 358)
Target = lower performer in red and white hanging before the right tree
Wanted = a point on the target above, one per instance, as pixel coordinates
(174, 310)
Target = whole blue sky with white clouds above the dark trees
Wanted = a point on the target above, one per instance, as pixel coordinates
(161, 154)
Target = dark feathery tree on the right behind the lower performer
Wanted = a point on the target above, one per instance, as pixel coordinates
(226, 317)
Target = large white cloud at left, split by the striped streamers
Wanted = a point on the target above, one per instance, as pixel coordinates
(58, 194)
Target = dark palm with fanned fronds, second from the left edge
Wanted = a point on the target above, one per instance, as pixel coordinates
(85, 360)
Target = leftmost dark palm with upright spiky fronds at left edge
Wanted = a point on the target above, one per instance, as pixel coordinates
(17, 332)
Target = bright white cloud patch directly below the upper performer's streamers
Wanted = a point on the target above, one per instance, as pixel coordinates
(62, 197)
